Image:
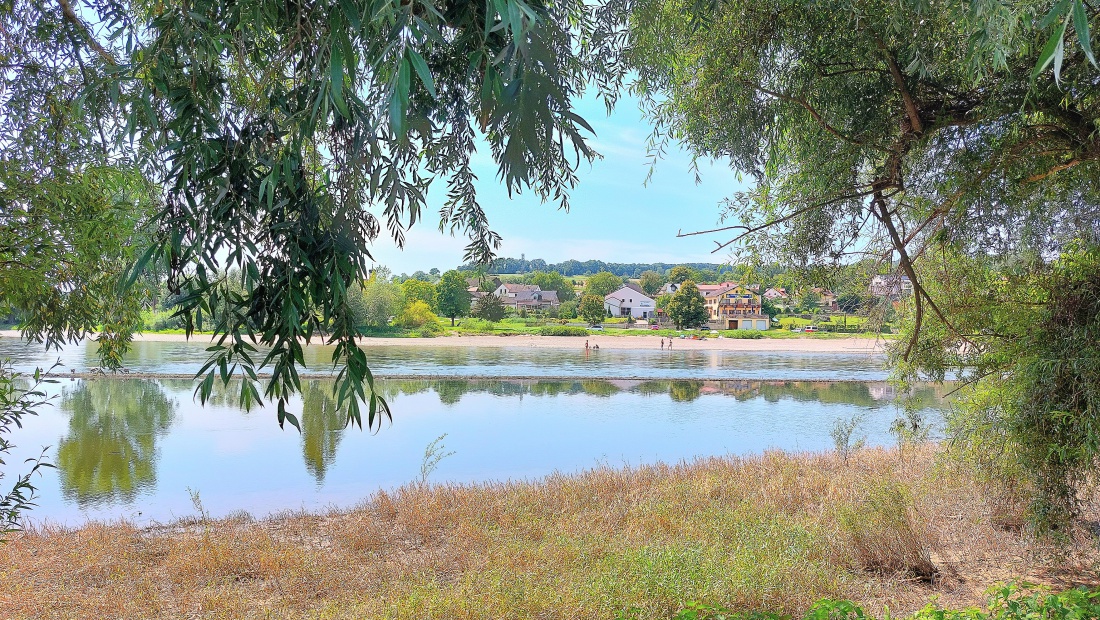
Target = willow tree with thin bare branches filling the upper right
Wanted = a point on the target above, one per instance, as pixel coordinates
(933, 136)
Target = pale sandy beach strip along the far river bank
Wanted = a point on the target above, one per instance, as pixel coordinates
(802, 345)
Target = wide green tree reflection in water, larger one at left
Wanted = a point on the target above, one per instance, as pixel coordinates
(109, 455)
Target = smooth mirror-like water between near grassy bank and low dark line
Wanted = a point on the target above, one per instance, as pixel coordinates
(137, 449)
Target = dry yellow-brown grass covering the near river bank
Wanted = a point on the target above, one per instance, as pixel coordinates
(774, 533)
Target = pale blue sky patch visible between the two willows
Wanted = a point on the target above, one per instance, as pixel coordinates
(614, 217)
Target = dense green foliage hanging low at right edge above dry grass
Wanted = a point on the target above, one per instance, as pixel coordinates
(1029, 415)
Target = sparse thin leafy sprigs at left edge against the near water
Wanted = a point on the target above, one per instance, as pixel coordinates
(18, 401)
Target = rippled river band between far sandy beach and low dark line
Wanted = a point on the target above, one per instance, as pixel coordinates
(188, 358)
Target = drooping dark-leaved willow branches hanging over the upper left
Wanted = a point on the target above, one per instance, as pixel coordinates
(283, 139)
